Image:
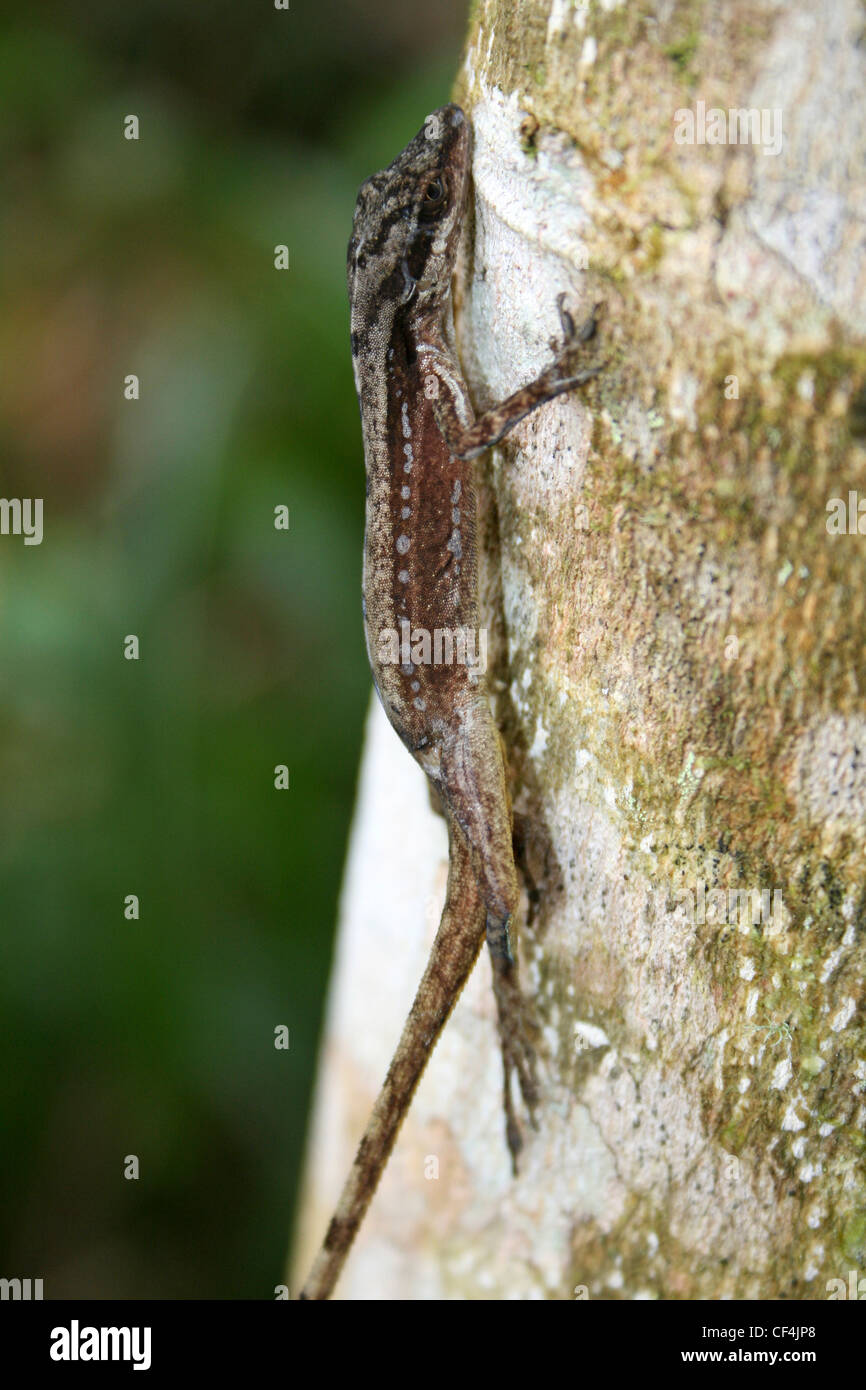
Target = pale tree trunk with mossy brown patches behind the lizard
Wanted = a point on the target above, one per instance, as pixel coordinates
(679, 621)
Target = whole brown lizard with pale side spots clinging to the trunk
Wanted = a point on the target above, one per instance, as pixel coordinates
(420, 434)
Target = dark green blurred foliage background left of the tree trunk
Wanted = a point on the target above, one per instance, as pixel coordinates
(156, 778)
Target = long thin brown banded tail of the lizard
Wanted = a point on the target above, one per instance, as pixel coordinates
(455, 951)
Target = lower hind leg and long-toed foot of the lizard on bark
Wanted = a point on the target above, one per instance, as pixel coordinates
(516, 1033)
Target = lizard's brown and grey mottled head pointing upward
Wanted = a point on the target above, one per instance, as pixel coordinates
(408, 222)
